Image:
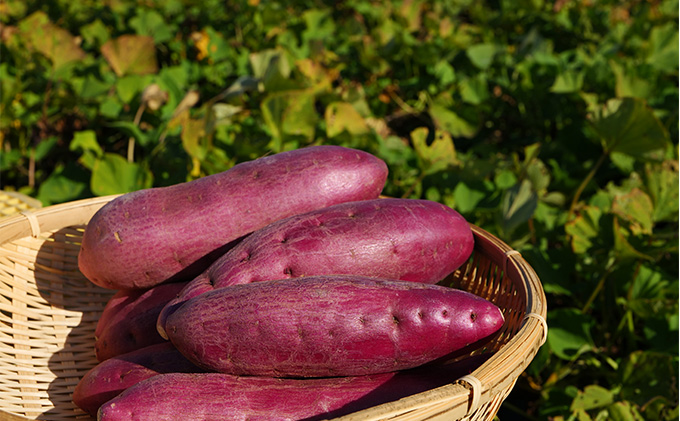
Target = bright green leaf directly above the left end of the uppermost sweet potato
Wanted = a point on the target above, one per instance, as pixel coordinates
(113, 174)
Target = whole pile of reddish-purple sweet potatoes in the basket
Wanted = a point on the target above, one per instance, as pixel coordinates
(283, 288)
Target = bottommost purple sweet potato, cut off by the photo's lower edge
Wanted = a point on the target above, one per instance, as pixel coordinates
(215, 396)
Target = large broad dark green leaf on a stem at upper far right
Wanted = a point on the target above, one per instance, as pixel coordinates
(629, 126)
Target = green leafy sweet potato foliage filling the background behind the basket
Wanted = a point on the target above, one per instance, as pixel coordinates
(554, 125)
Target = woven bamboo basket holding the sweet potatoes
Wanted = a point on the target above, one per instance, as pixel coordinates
(49, 310)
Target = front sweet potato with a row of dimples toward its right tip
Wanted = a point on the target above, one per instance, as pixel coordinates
(321, 326)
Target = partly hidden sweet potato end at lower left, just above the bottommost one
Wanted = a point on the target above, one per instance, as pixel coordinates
(109, 378)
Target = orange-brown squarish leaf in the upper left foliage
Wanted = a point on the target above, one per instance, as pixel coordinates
(131, 54)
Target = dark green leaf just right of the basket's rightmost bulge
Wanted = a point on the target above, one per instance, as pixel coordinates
(569, 333)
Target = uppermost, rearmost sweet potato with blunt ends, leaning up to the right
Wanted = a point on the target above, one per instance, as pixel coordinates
(146, 237)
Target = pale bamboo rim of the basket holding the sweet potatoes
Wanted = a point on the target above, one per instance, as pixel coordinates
(465, 395)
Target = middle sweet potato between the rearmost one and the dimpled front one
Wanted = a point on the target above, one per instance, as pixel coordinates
(404, 239)
